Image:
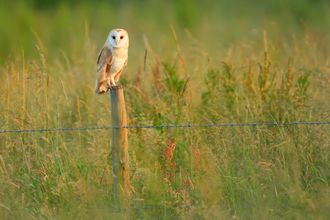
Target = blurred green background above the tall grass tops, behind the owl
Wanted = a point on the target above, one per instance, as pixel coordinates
(60, 26)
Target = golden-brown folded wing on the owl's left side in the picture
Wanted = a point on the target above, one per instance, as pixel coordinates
(104, 63)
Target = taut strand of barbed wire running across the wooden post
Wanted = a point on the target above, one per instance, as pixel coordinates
(169, 126)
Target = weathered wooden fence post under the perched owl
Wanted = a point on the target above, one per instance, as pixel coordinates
(119, 149)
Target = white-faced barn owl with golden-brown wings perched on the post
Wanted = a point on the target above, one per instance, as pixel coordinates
(111, 61)
